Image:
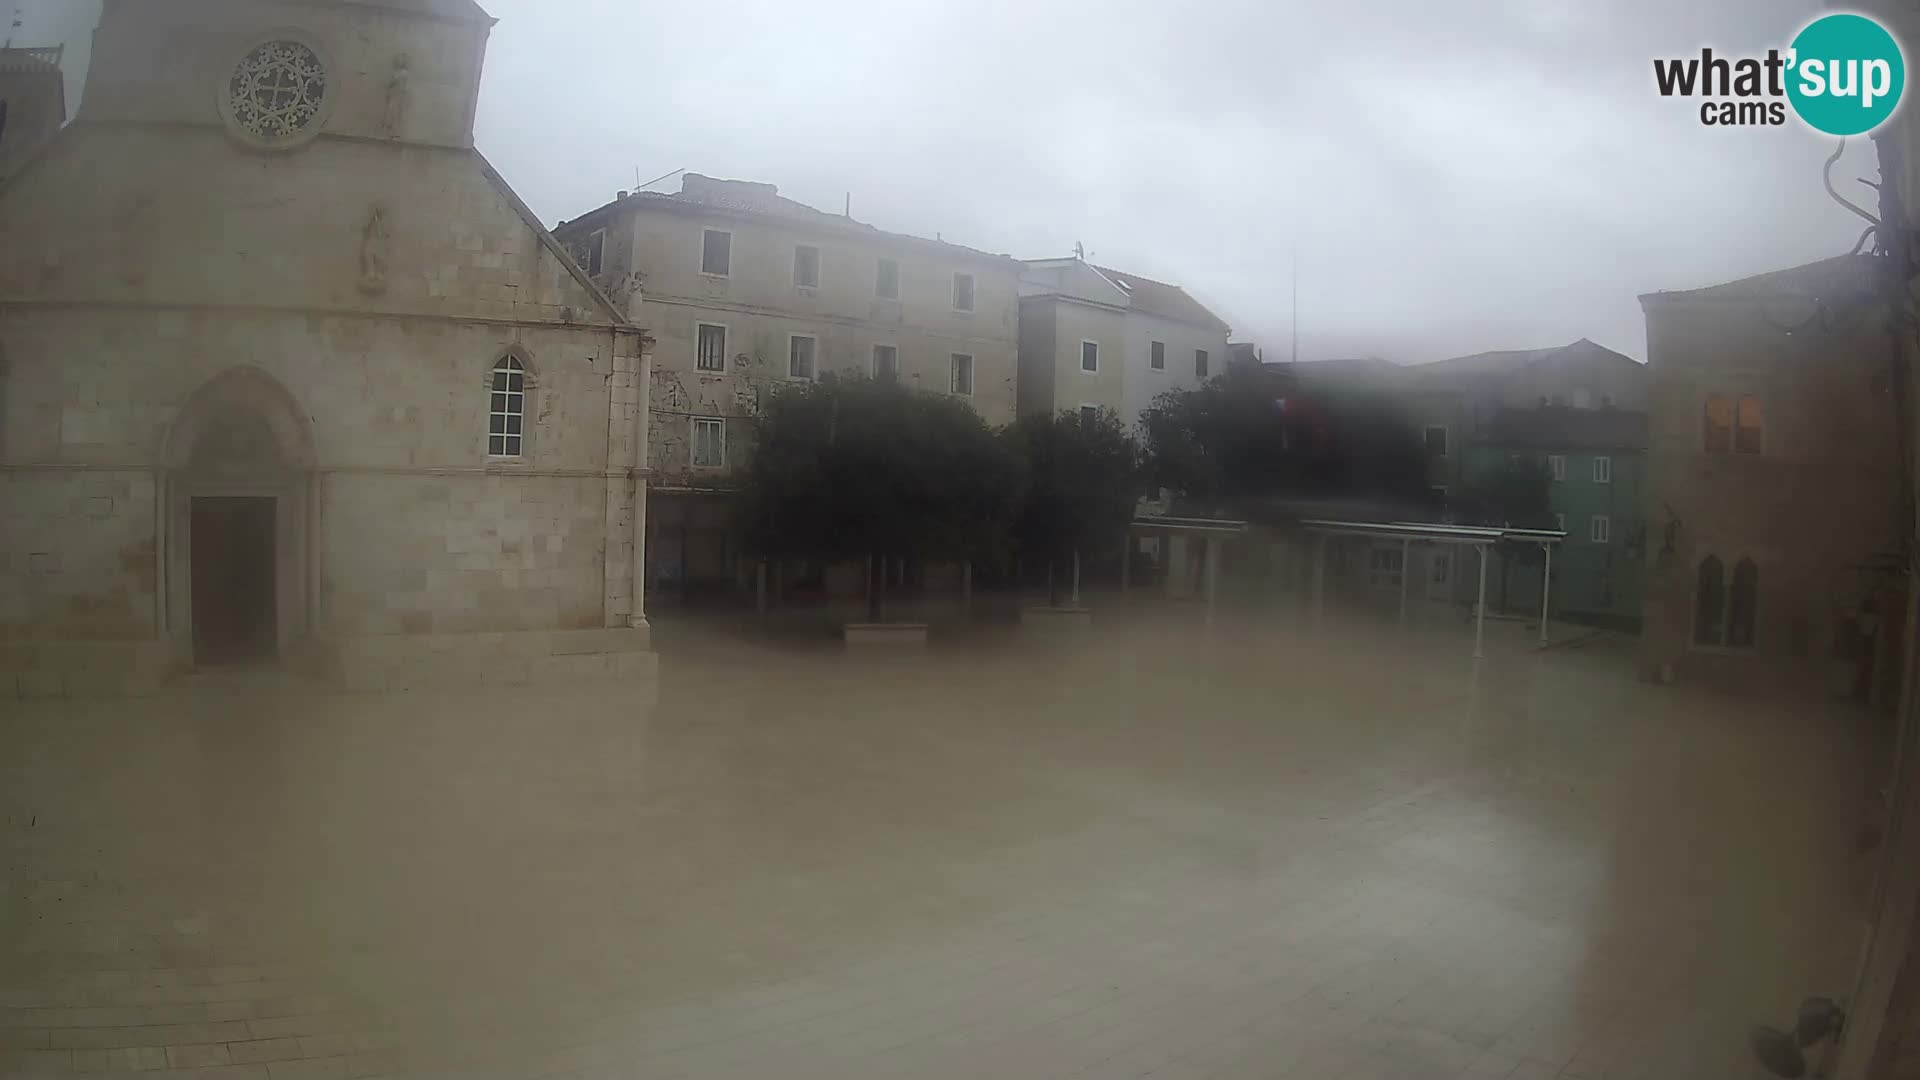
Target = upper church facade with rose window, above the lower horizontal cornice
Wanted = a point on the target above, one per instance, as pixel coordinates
(276, 195)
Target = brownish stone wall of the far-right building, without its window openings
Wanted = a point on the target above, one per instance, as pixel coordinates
(1813, 508)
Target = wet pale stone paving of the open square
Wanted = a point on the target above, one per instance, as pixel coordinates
(1266, 858)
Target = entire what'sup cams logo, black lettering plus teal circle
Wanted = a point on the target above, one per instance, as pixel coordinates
(1844, 76)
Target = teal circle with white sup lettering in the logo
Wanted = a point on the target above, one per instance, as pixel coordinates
(1846, 74)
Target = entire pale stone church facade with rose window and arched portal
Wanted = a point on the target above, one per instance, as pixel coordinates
(289, 374)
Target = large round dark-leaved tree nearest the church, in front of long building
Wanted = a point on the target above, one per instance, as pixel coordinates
(852, 470)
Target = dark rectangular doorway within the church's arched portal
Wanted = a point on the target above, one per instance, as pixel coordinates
(233, 572)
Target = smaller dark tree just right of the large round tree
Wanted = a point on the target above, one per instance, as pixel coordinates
(1082, 483)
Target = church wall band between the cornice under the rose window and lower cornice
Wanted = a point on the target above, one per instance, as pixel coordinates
(335, 228)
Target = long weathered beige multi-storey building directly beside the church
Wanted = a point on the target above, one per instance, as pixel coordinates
(748, 291)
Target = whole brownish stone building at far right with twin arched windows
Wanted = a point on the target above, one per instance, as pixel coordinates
(1775, 495)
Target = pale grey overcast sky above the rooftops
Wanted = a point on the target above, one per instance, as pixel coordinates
(1452, 178)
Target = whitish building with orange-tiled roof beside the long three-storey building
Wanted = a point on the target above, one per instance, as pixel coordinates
(1101, 339)
